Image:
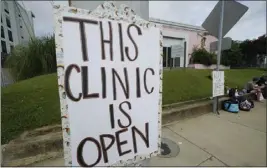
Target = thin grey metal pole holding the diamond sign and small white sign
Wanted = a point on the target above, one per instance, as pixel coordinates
(216, 99)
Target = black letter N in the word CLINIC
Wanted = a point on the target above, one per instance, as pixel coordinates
(124, 87)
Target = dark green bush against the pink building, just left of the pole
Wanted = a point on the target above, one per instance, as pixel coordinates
(202, 56)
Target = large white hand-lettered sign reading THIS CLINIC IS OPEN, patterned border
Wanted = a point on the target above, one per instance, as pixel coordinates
(109, 83)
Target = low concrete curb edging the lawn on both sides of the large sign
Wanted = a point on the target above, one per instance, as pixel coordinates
(47, 143)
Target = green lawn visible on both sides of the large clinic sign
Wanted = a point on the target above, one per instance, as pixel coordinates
(34, 103)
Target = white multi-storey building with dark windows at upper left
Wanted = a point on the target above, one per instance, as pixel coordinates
(16, 25)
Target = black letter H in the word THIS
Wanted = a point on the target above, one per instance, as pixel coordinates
(110, 41)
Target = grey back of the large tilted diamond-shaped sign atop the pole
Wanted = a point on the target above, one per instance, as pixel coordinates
(233, 11)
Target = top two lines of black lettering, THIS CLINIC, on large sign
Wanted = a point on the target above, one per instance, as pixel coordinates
(141, 77)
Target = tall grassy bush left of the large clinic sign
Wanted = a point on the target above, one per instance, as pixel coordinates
(36, 58)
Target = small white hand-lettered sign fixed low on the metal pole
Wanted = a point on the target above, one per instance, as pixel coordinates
(217, 83)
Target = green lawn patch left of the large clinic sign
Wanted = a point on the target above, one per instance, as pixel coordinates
(29, 104)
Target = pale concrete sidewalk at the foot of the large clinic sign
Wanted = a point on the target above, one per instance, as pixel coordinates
(211, 140)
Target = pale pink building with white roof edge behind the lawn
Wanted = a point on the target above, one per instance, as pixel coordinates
(185, 35)
